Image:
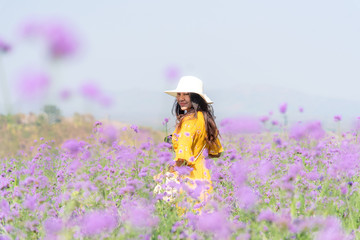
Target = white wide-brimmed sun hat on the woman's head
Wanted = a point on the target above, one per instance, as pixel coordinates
(190, 84)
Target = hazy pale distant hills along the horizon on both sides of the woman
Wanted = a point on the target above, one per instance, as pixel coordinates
(149, 108)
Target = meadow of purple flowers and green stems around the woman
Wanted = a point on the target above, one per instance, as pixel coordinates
(298, 183)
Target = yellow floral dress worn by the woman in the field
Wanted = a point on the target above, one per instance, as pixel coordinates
(188, 143)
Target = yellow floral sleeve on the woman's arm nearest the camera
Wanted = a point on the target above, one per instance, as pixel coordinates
(183, 141)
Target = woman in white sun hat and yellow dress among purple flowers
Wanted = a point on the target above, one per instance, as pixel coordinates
(195, 131)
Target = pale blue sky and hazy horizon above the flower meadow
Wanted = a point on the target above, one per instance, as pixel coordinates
(251, 55)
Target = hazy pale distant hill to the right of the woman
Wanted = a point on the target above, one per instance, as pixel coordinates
(260, 101)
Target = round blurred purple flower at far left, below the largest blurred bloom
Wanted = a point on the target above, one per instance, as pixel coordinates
(33, 84)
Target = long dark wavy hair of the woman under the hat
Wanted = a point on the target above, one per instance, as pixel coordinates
(199, 104)
